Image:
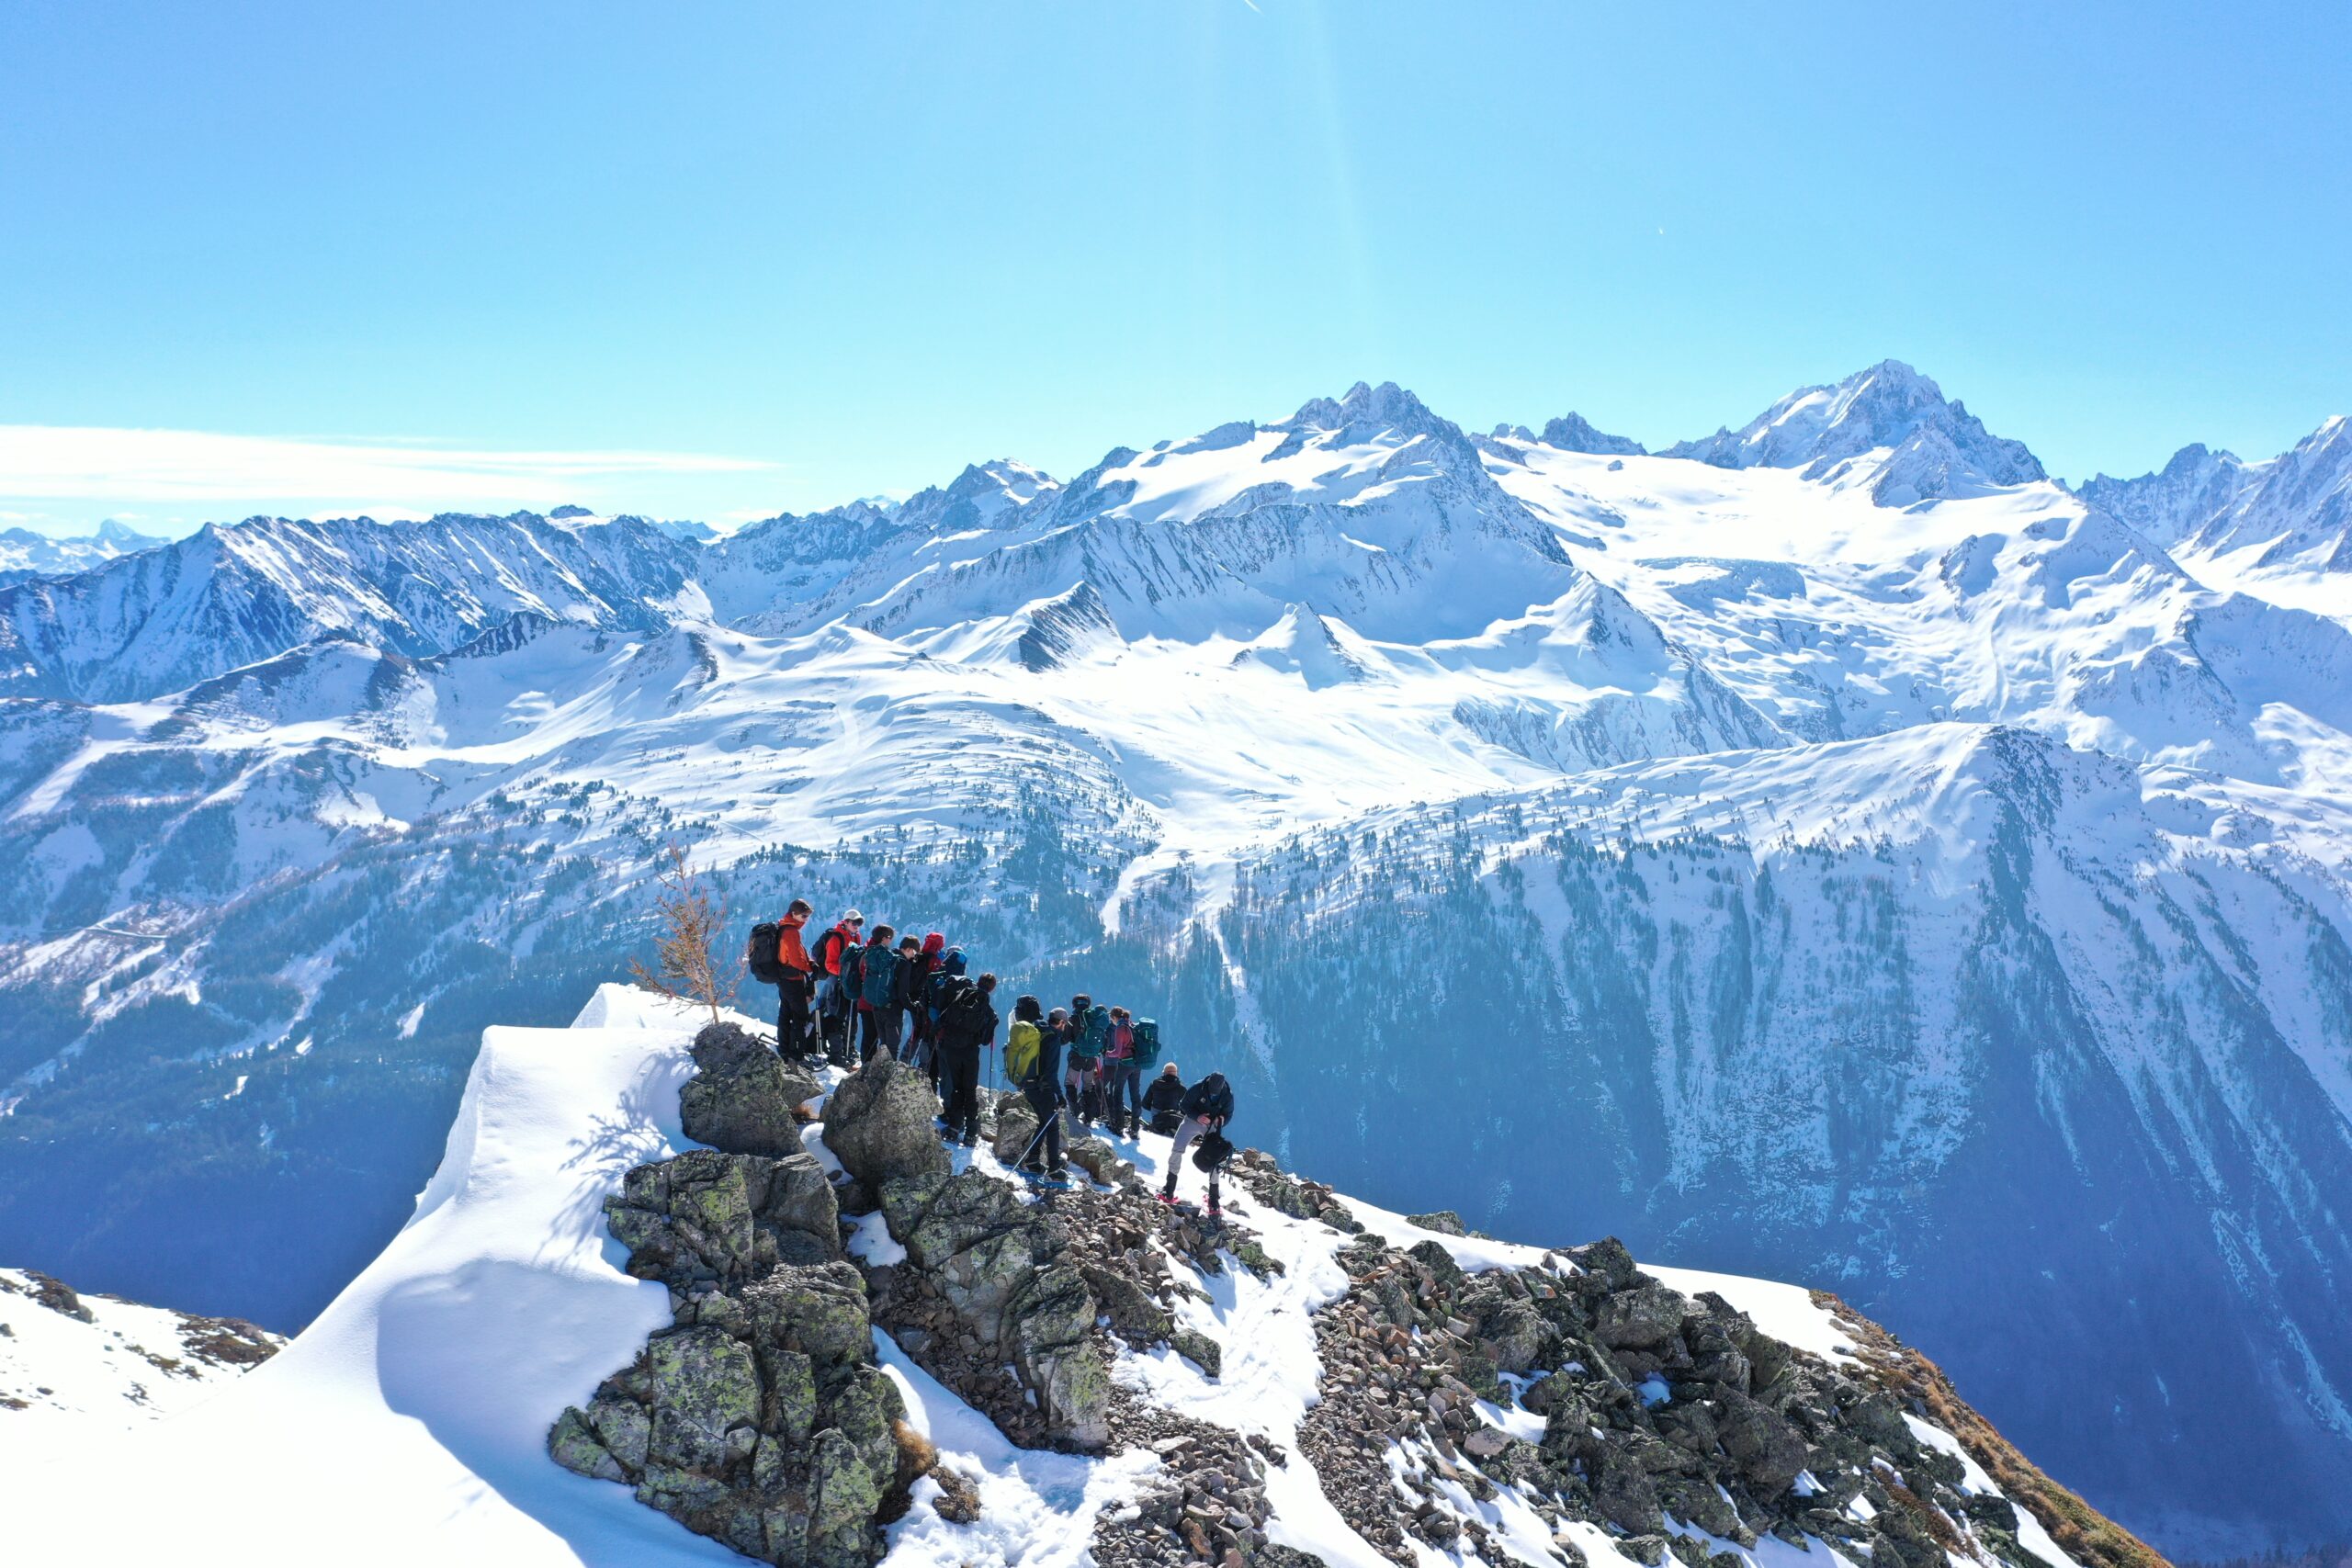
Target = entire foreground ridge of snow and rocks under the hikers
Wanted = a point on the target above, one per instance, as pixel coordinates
(857, 1348)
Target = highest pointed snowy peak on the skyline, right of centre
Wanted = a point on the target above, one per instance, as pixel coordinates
(1935, 443)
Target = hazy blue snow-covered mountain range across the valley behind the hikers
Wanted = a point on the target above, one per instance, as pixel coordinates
(1829, 826)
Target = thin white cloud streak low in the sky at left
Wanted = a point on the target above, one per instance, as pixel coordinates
(208, 469)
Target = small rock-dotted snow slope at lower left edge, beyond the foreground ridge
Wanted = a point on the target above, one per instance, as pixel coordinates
(79, 1372)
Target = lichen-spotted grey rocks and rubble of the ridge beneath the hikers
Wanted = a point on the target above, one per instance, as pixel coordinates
(1450, 1395)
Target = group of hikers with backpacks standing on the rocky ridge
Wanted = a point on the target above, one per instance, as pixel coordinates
(857, 996)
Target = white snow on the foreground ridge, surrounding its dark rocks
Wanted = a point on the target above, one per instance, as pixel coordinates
(413, 1419)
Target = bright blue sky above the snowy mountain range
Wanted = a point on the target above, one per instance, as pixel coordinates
(726, 260)
